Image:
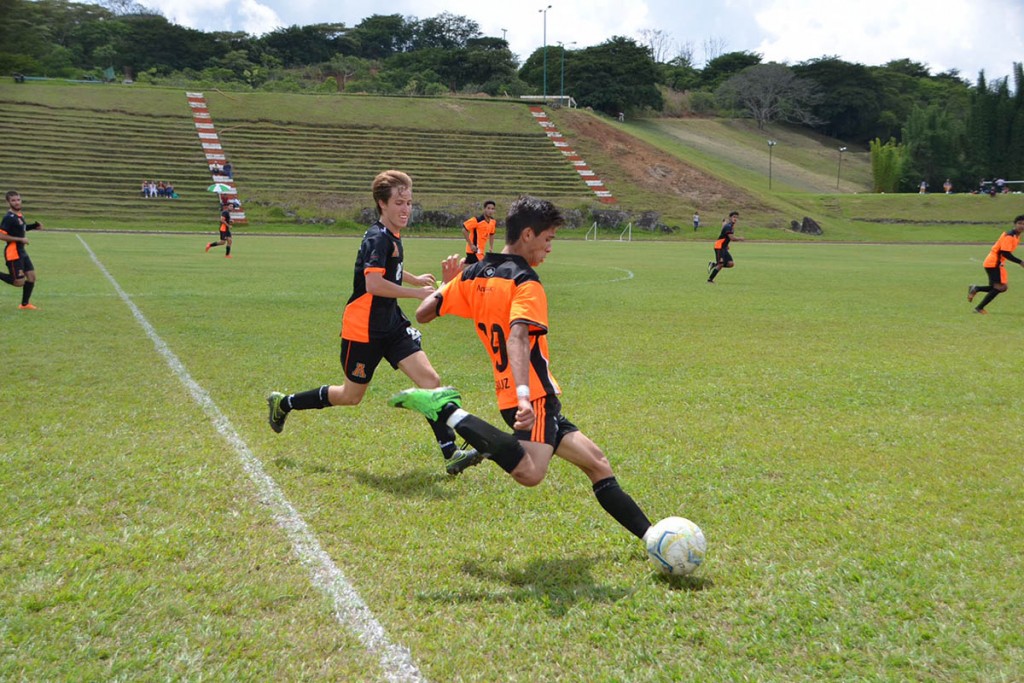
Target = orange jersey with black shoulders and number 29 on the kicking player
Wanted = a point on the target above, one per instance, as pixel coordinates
(497, 293)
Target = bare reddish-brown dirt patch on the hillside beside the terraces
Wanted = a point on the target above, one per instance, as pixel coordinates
(620, 157)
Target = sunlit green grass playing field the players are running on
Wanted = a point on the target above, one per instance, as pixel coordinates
(836, 420)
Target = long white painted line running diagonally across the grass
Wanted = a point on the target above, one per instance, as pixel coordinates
(350, 610)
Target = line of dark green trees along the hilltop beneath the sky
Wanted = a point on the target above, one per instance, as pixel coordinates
(922, 126)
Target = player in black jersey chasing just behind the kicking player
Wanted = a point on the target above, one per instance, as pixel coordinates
(374, 328)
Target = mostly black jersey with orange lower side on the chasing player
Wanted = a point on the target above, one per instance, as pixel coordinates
(367, 316)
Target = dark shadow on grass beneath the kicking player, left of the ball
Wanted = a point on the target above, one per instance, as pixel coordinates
(558, 585)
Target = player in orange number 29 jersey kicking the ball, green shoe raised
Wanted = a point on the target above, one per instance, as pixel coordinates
(504, 297)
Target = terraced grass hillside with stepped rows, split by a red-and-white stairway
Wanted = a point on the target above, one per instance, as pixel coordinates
(80, 154)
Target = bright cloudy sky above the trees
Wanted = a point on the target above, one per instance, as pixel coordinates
(942, 34)
